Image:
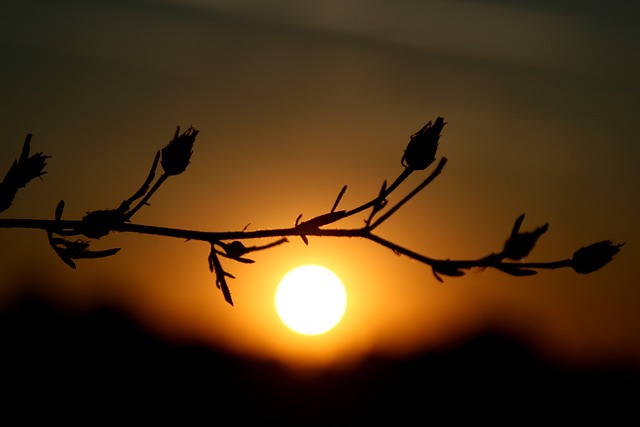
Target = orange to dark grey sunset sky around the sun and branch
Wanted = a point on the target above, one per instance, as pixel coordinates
(293, 100)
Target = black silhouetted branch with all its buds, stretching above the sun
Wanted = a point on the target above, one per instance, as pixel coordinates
(174, 159)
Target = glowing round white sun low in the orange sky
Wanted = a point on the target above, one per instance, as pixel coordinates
(310, 299)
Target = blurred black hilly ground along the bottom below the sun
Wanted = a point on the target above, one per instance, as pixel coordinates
(99, 365)
